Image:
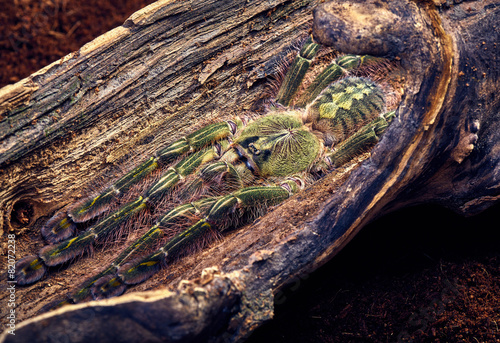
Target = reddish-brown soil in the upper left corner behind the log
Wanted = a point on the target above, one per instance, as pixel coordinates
(35, 33)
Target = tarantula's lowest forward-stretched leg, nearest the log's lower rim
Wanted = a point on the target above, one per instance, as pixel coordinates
(245, 200)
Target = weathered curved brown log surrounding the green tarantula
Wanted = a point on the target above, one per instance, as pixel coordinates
(442, 147)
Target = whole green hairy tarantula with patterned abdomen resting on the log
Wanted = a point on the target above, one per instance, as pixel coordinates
(224, 174)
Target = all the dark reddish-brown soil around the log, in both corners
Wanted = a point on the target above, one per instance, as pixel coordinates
(420, 275)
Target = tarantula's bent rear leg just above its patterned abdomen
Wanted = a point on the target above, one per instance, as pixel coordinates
(337, 69)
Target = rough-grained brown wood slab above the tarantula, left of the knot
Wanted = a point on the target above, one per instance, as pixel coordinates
(133, 89)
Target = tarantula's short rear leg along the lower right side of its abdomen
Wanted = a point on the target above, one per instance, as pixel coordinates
(359, 142)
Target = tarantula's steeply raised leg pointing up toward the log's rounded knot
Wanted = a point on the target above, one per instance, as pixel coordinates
(297, 71)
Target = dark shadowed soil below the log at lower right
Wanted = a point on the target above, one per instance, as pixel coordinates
(423, 274)
